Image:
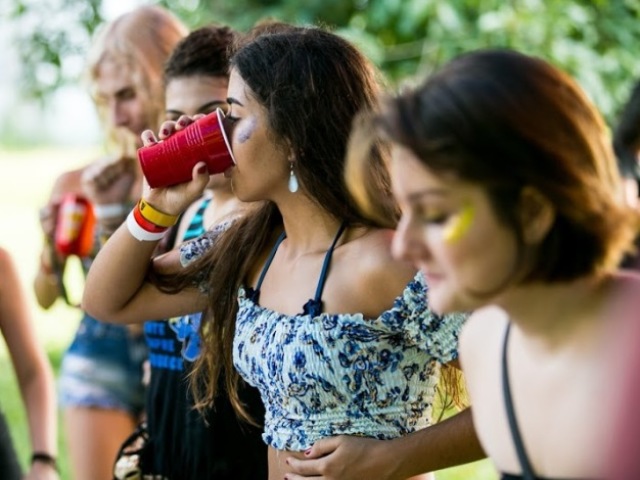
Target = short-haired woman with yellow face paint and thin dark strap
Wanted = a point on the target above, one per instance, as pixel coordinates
(512, 207)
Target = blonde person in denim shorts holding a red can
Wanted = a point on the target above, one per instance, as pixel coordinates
(101, 387)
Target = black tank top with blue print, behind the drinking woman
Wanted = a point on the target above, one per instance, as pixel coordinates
(187, 444)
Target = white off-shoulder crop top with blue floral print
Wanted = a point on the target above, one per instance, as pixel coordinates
(322, 374)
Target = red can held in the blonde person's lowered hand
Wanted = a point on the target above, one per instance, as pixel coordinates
(75, 226)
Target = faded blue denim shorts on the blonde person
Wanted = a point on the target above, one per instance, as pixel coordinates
(103, 368)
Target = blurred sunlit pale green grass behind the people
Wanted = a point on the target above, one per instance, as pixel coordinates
(26, 177)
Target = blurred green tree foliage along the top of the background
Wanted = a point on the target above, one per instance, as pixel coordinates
(594, 40)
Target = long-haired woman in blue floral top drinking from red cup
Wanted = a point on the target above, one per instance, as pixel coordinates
(303, 299)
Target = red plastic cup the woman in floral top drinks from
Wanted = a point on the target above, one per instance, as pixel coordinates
(171, 161)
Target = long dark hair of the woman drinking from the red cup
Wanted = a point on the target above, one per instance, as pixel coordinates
(312, 83)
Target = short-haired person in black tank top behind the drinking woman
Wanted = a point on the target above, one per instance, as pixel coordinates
(184, 443)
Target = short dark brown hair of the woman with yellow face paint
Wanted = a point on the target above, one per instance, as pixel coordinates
(506, 121)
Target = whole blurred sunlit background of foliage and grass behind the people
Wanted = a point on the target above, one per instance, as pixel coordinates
(48, 123)
